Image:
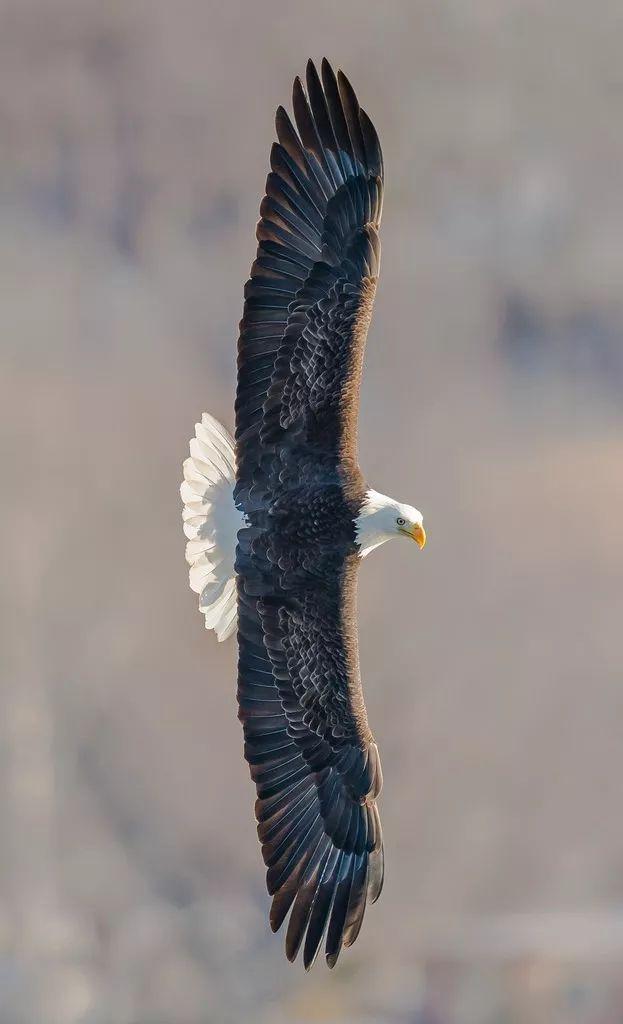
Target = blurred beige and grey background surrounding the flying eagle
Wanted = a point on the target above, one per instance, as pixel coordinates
(135, 142)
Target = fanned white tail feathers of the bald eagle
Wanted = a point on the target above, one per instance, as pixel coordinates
(212, 523)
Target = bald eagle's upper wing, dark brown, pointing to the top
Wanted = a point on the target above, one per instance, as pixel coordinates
(309, 302)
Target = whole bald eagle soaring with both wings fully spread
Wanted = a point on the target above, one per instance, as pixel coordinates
(278, 522)
